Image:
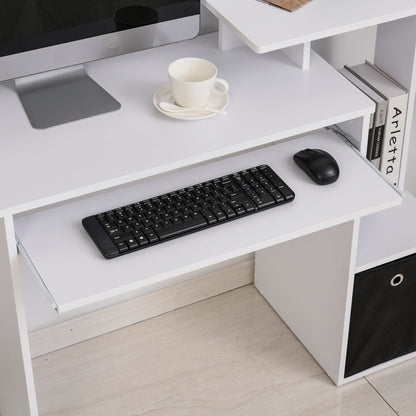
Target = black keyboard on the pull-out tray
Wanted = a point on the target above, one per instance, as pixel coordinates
(162, 218)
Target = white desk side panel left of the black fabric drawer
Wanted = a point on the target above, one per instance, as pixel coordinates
(308, 281)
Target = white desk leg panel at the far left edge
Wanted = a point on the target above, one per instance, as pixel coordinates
(17, 389)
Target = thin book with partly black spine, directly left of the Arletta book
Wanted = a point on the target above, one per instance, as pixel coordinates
(378, 119)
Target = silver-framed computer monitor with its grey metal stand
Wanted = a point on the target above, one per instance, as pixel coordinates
(43, 44)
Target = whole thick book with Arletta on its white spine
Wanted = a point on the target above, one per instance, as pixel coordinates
(396, 96)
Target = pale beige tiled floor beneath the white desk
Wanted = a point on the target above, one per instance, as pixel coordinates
(227, 356)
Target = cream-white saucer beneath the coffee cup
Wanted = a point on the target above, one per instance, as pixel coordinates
(164, 93)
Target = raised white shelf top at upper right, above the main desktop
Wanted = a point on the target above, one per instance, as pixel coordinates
(265, 28)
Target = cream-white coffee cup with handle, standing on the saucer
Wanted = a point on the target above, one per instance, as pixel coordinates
(193, 80)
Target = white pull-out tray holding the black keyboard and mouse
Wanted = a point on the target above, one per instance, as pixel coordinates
(76, 274)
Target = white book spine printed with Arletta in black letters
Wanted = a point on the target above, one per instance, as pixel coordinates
(392, 146)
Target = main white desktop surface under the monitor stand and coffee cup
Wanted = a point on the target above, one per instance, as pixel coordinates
(41, 167)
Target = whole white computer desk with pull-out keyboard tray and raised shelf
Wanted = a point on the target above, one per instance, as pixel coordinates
(57, 176)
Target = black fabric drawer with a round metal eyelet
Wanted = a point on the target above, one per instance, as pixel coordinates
(383, 315)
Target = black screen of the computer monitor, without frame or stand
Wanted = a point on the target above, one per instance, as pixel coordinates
(32, 24)
